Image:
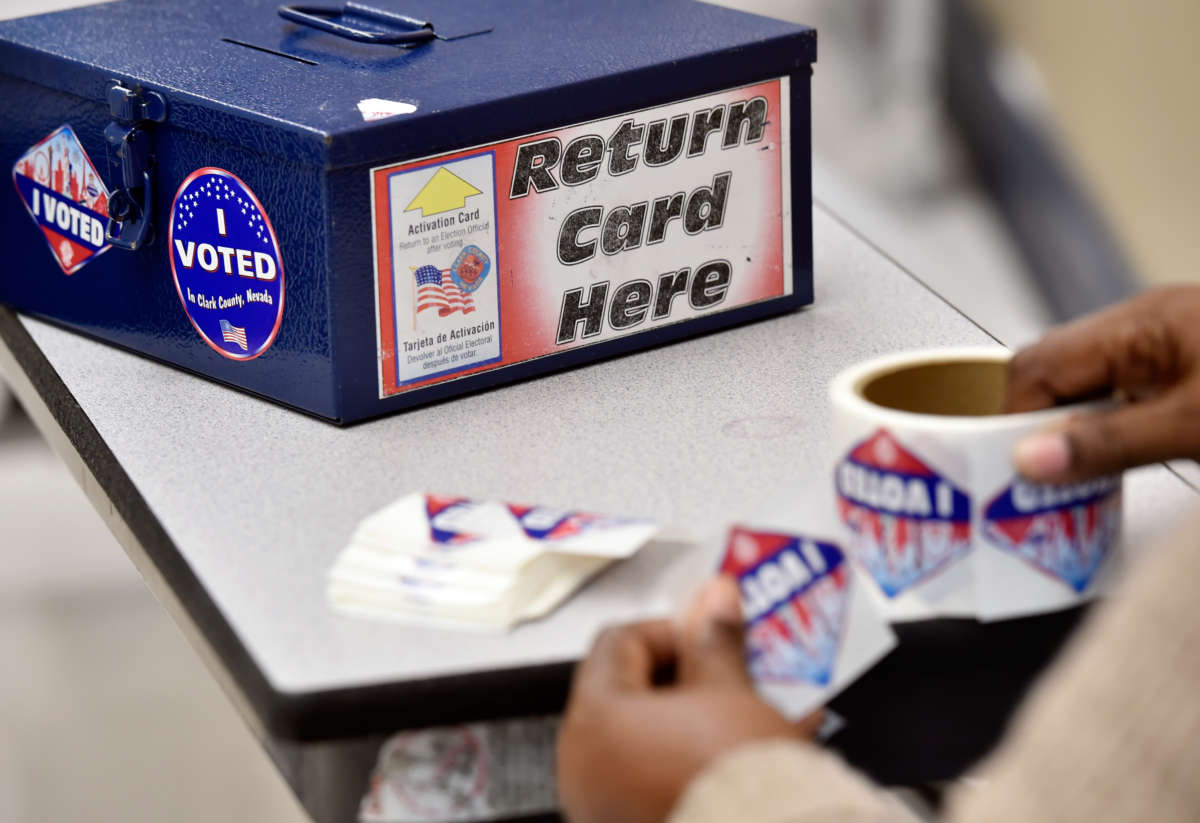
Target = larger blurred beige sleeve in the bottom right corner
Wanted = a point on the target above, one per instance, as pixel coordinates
(1113, 734)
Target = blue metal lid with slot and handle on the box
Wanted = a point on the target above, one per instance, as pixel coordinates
(237, 70)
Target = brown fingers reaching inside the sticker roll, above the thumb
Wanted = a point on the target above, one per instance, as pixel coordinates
(1132, 347)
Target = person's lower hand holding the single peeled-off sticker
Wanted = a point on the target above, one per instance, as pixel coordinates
(628, 748)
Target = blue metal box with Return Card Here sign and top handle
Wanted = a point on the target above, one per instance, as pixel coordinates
(355, 209)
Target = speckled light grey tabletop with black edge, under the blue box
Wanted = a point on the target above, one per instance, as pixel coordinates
(235, 509)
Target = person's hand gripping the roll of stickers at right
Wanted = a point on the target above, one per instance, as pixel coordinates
(1148, 353)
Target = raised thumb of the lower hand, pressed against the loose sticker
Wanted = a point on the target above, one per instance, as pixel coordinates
(712, 650)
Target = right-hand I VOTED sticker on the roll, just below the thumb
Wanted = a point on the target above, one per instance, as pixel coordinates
(1063, 531)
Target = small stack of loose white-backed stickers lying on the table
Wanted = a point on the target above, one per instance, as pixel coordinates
(449, 562)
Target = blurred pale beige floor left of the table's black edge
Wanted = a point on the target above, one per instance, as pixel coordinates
(106, 714)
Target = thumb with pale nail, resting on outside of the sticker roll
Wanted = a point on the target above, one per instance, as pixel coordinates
(1093, 446)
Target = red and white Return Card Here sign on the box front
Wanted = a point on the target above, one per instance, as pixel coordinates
(517, 250)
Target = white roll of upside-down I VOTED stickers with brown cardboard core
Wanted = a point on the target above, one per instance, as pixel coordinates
(933, 507)
